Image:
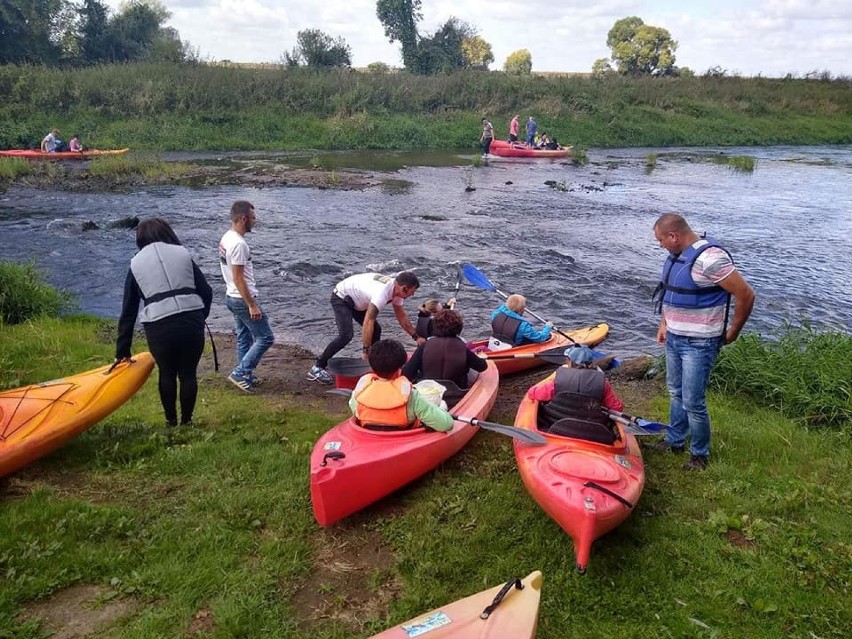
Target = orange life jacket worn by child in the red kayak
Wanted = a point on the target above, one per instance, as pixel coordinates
(383, 402)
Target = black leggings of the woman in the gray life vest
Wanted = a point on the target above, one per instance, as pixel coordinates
(176, 343)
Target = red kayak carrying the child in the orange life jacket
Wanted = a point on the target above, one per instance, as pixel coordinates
(352, 467)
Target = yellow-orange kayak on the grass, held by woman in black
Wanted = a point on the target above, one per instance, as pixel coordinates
(36, 420)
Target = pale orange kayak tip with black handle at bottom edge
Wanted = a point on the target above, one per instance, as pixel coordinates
(514, 615)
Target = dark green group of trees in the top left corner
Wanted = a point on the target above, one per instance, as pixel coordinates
(86, 32)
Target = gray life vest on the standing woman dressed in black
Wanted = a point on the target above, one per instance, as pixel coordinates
(166, 279)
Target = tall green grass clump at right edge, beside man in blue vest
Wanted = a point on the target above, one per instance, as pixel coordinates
(804, 374)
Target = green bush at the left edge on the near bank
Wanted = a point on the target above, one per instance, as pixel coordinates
(24, 294)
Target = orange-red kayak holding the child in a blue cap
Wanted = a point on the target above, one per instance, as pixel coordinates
(586, 487)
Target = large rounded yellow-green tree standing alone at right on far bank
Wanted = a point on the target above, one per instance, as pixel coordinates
(641, 49)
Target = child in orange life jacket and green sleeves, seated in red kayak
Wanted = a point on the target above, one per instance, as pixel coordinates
(387, 400)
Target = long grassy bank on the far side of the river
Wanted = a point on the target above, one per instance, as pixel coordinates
(166, 107)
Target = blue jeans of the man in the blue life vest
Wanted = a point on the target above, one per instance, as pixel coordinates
(689, 361)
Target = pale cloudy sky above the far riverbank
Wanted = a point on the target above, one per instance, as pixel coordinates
(748, 37)
